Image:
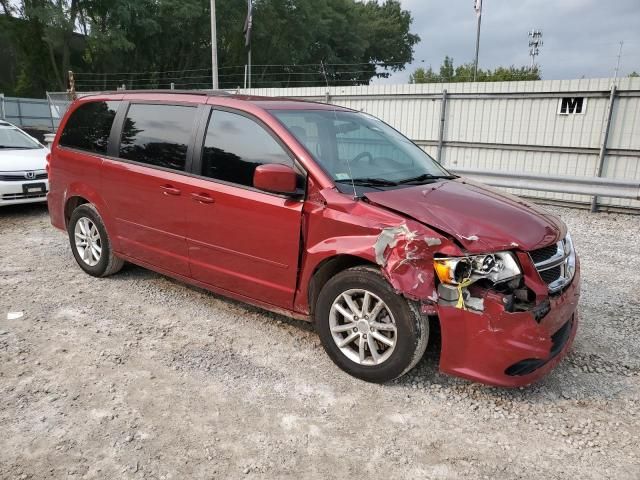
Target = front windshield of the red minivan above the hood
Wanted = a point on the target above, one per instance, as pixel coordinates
(358, 148)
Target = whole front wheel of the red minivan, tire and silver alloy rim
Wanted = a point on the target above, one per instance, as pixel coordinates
(367, 329)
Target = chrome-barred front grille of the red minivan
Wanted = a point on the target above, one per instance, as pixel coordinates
(555, 264)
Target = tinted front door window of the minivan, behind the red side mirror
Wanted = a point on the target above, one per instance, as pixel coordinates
(235, 145)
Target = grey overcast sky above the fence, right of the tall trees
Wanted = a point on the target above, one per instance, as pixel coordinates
(581, 37)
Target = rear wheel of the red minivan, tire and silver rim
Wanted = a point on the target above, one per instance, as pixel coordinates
(90, 242)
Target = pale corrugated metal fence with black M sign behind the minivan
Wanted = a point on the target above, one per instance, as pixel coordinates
(551, 128)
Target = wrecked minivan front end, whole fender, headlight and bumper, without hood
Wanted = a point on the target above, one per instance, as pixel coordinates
(500, 324)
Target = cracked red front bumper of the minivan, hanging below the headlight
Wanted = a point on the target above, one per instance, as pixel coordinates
(506, 349)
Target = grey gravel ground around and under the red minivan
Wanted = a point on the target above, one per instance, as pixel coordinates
(139, 376)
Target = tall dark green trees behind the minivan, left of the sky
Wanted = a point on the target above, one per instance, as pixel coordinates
(106, 41)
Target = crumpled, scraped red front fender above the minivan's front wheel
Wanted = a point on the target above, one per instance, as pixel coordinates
(335, 224)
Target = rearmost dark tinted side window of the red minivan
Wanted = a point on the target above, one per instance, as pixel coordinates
(89, 126)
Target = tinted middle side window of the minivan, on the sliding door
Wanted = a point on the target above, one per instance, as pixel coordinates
(157, 134)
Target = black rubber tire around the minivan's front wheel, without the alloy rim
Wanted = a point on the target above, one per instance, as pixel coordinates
(408, 334)
